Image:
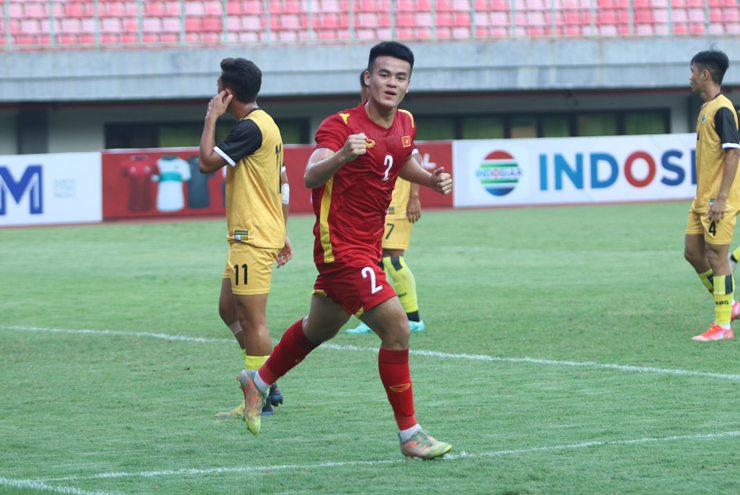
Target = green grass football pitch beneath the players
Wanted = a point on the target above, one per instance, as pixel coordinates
(557, 360)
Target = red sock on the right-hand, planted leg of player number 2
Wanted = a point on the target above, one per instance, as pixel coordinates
(396, 378)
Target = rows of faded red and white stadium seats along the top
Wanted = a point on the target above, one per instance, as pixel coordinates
(79, 23)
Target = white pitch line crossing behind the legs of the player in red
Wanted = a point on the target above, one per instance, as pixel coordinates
(443, 355)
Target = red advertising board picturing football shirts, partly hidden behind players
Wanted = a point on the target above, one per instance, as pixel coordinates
(166, 182)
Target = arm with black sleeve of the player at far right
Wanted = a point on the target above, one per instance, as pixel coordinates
(726, 128)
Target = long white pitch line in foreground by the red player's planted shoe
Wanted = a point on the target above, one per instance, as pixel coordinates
(462, 455)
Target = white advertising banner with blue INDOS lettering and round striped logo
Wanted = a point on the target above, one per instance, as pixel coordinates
(574, 170)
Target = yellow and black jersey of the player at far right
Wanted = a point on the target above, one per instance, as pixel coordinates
(716, 132)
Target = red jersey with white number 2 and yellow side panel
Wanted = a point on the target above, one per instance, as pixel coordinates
(351, 207)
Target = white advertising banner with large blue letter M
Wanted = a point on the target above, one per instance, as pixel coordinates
(50, 189)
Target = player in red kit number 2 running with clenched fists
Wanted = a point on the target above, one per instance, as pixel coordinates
(359, 154)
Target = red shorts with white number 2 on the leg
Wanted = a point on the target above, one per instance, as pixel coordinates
(357, 287)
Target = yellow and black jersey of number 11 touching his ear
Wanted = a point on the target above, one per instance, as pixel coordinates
(254, 151)
